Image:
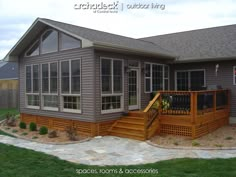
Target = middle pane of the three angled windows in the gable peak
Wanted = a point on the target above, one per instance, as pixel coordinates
(49, 41)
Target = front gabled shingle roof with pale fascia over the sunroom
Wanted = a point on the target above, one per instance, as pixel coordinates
(91, 37)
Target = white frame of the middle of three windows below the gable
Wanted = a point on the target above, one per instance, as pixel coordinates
(49, 93)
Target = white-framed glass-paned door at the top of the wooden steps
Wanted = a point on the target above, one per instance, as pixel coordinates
(133, 89)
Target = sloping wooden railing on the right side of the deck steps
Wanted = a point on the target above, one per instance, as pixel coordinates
(152, 110)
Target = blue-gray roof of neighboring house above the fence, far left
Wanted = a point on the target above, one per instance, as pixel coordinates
(8, 70)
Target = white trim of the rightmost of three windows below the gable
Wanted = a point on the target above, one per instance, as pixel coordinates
(70, 94)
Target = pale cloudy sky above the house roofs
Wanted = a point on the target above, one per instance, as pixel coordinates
(132, 18)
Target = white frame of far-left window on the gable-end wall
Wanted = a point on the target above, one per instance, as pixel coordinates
(32, 92)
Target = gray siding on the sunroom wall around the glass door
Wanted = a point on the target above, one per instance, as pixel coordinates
(145, 97)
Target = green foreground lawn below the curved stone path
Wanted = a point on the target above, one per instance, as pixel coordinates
(18, 162)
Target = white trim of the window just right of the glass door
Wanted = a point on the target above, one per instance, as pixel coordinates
(163, 79)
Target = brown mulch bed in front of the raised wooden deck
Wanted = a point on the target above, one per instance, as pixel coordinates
(224, 137)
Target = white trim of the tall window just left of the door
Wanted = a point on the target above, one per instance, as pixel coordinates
(112, 91)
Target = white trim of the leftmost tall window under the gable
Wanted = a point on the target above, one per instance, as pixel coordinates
(31, 92)
